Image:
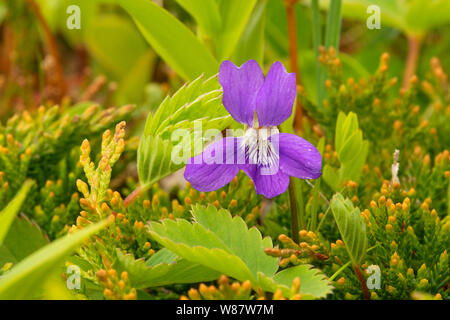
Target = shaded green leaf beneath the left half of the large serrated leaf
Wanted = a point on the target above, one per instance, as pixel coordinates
(171, 269)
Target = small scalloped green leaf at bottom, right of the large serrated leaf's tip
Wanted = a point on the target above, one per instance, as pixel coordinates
(313, 283)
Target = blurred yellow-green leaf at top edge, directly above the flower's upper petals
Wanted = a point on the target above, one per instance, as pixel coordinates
(235, 14)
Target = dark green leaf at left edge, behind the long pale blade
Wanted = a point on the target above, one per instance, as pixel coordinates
(24, 237)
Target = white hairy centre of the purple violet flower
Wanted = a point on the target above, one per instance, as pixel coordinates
(257, 146)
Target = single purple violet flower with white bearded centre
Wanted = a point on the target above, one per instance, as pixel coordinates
(265, 155)
